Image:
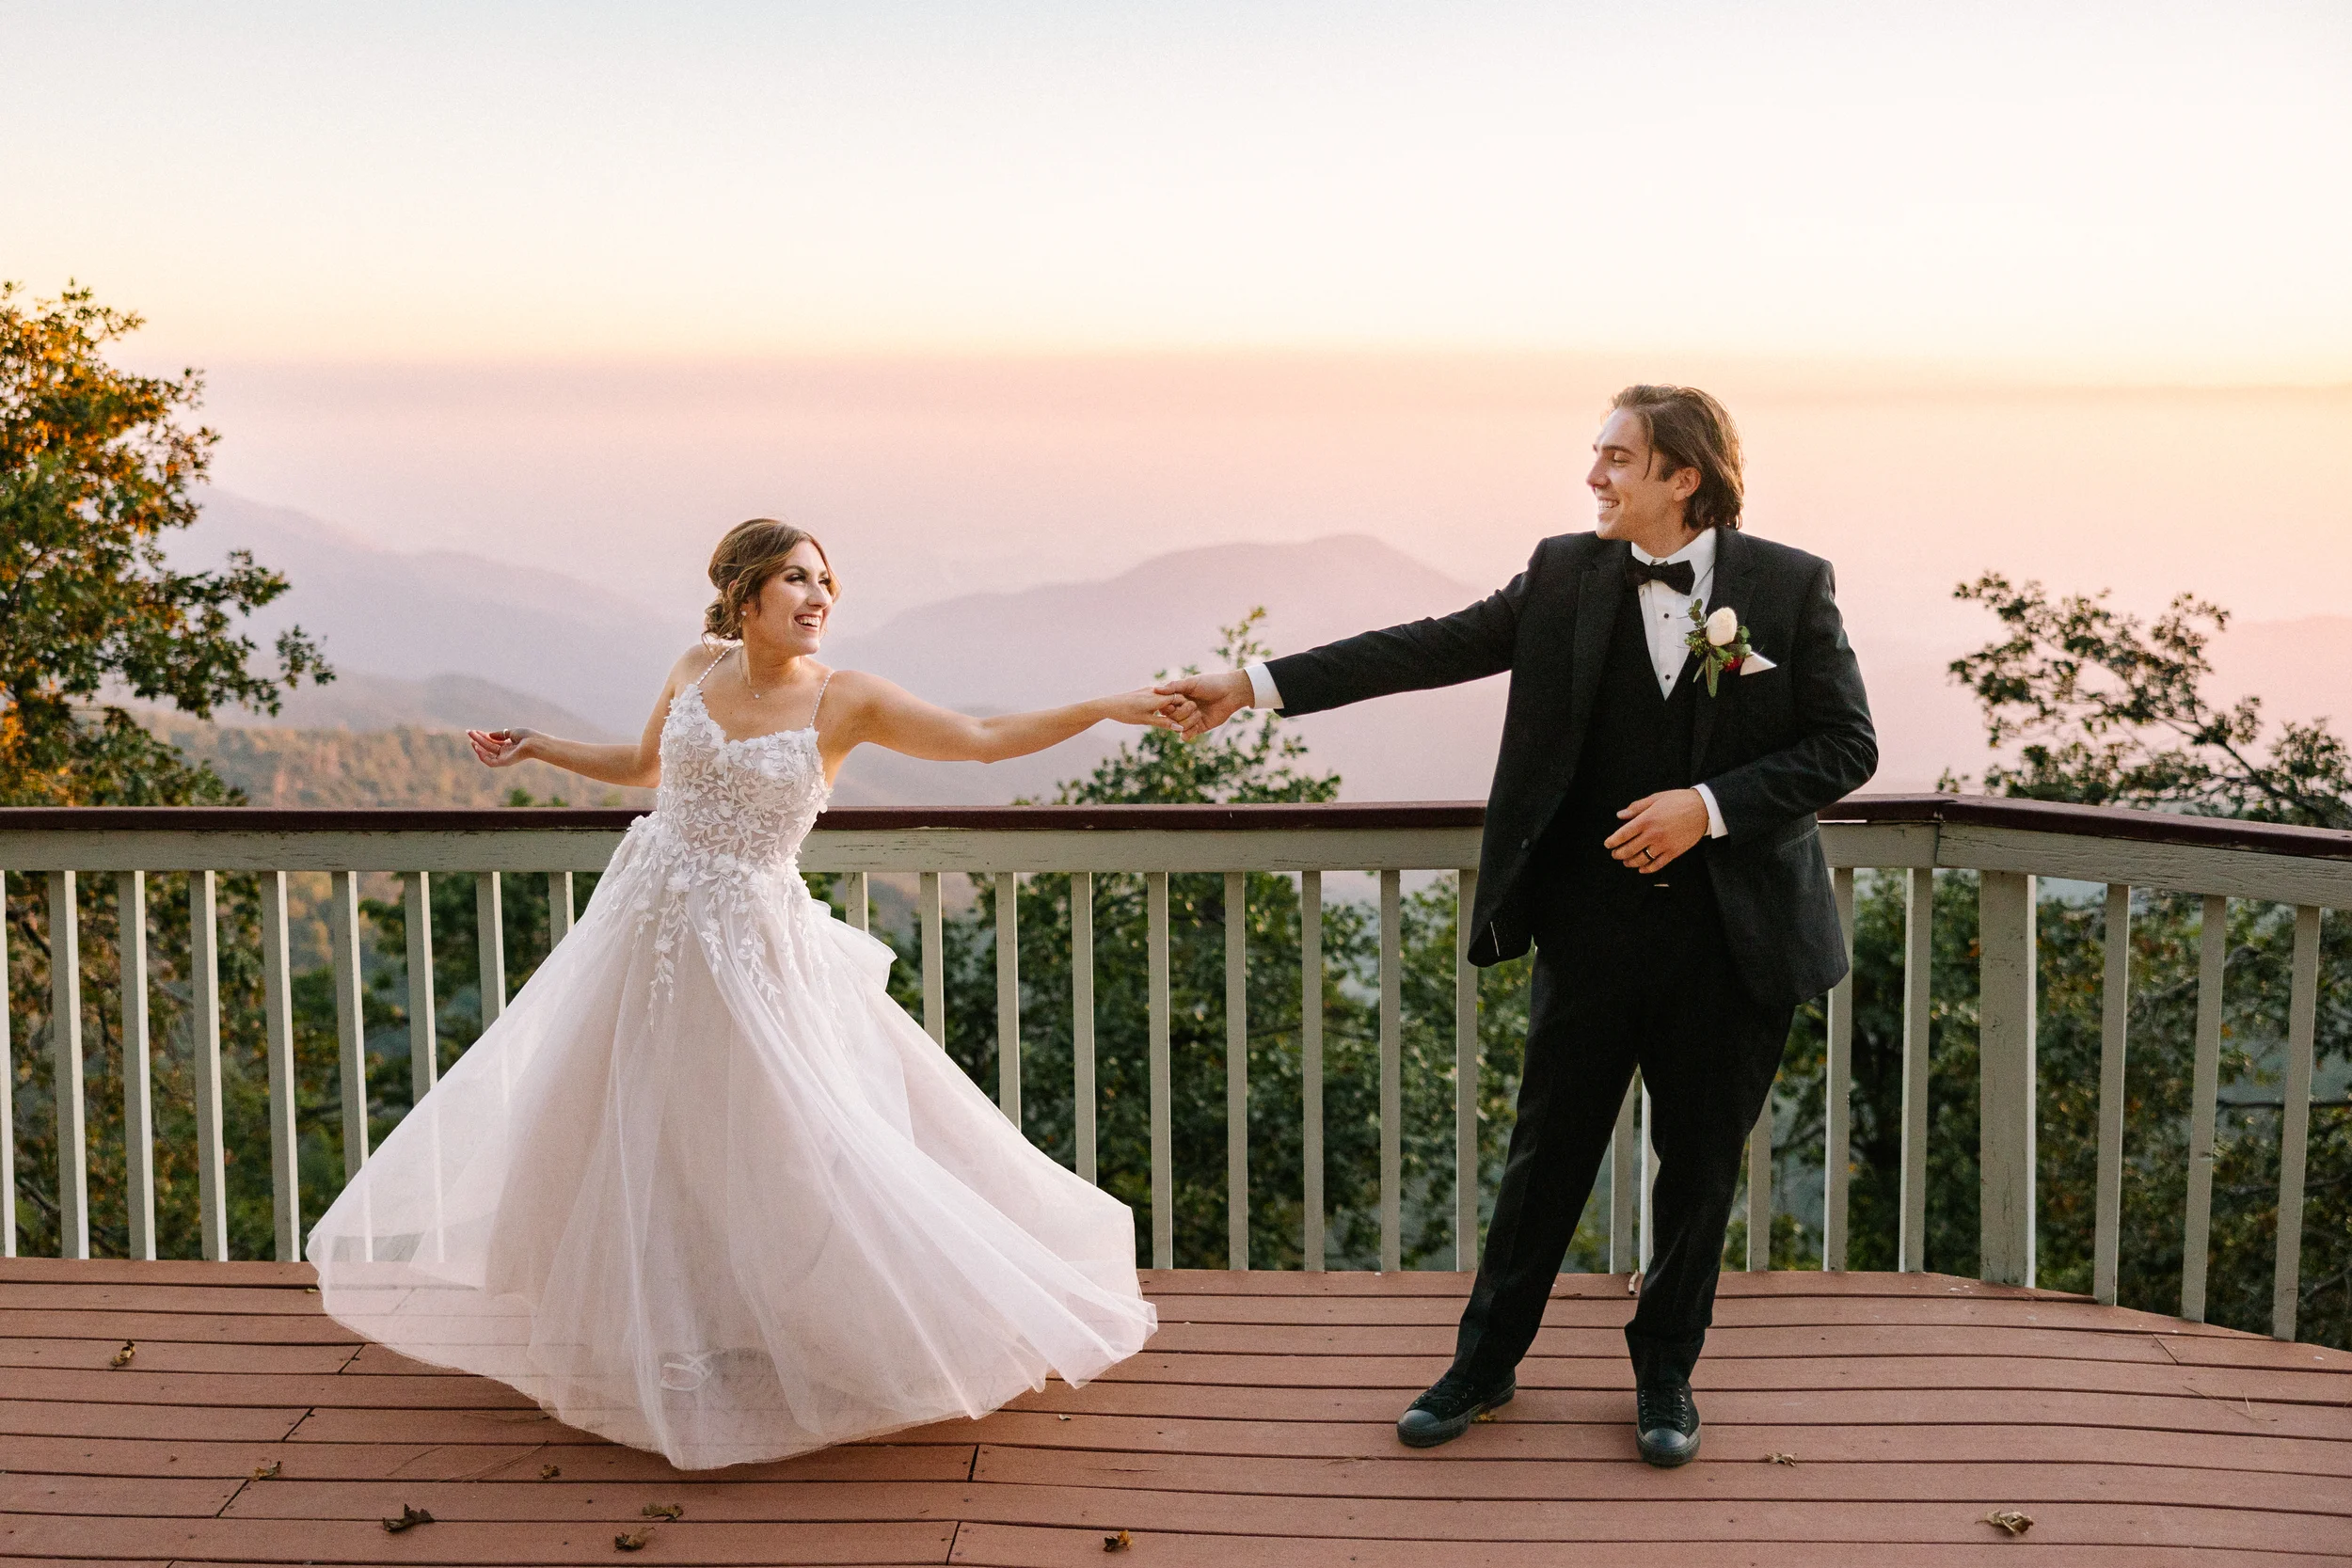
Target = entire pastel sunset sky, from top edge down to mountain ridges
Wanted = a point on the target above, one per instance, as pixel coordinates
(1013, 293)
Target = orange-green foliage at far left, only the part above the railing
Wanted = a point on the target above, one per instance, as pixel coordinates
(93, 474)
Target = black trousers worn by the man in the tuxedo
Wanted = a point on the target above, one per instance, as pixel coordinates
(1629, 977)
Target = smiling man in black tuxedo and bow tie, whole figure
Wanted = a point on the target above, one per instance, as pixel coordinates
(1652, 833)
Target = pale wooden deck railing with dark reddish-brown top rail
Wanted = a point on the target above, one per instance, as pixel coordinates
(2007, 843)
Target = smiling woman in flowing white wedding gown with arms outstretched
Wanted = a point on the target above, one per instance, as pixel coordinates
(704, 1188)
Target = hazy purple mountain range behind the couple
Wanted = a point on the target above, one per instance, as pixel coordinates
(443, 641)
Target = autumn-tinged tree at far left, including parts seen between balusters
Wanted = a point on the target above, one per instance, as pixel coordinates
(95, 469)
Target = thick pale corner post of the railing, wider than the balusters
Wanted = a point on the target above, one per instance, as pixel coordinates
(2005, 916)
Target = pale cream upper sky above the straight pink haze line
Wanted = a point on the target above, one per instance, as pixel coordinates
(2087, 192)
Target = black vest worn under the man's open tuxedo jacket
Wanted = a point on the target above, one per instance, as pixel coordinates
(1638, 744)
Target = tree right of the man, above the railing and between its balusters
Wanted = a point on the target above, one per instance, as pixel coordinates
(2092, 706)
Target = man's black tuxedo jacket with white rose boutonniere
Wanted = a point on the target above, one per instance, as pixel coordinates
(1770, 746)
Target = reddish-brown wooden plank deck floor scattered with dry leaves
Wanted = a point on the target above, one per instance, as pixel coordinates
(1255, 1433)
